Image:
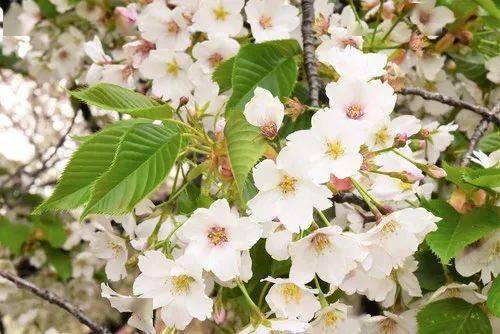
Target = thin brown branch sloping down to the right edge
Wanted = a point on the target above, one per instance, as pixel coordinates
(483, 111)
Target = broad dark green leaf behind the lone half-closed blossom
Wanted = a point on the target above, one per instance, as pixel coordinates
(270, 65)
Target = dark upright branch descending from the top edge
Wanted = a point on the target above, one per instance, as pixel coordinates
(308, 43)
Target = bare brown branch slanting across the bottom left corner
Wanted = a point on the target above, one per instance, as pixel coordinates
(56, 300)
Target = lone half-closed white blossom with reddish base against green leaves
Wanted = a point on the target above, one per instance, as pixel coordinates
(265, 111)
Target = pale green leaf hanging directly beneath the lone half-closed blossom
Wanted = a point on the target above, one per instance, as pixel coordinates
(245, 146)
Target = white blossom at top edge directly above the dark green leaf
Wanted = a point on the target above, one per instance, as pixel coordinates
(271, 20)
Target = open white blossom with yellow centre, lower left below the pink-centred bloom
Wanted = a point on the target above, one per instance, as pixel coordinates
(176, 286)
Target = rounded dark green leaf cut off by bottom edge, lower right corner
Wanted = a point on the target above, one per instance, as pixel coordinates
(453, 316)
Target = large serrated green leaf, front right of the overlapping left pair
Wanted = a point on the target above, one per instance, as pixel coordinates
(143, 159)
